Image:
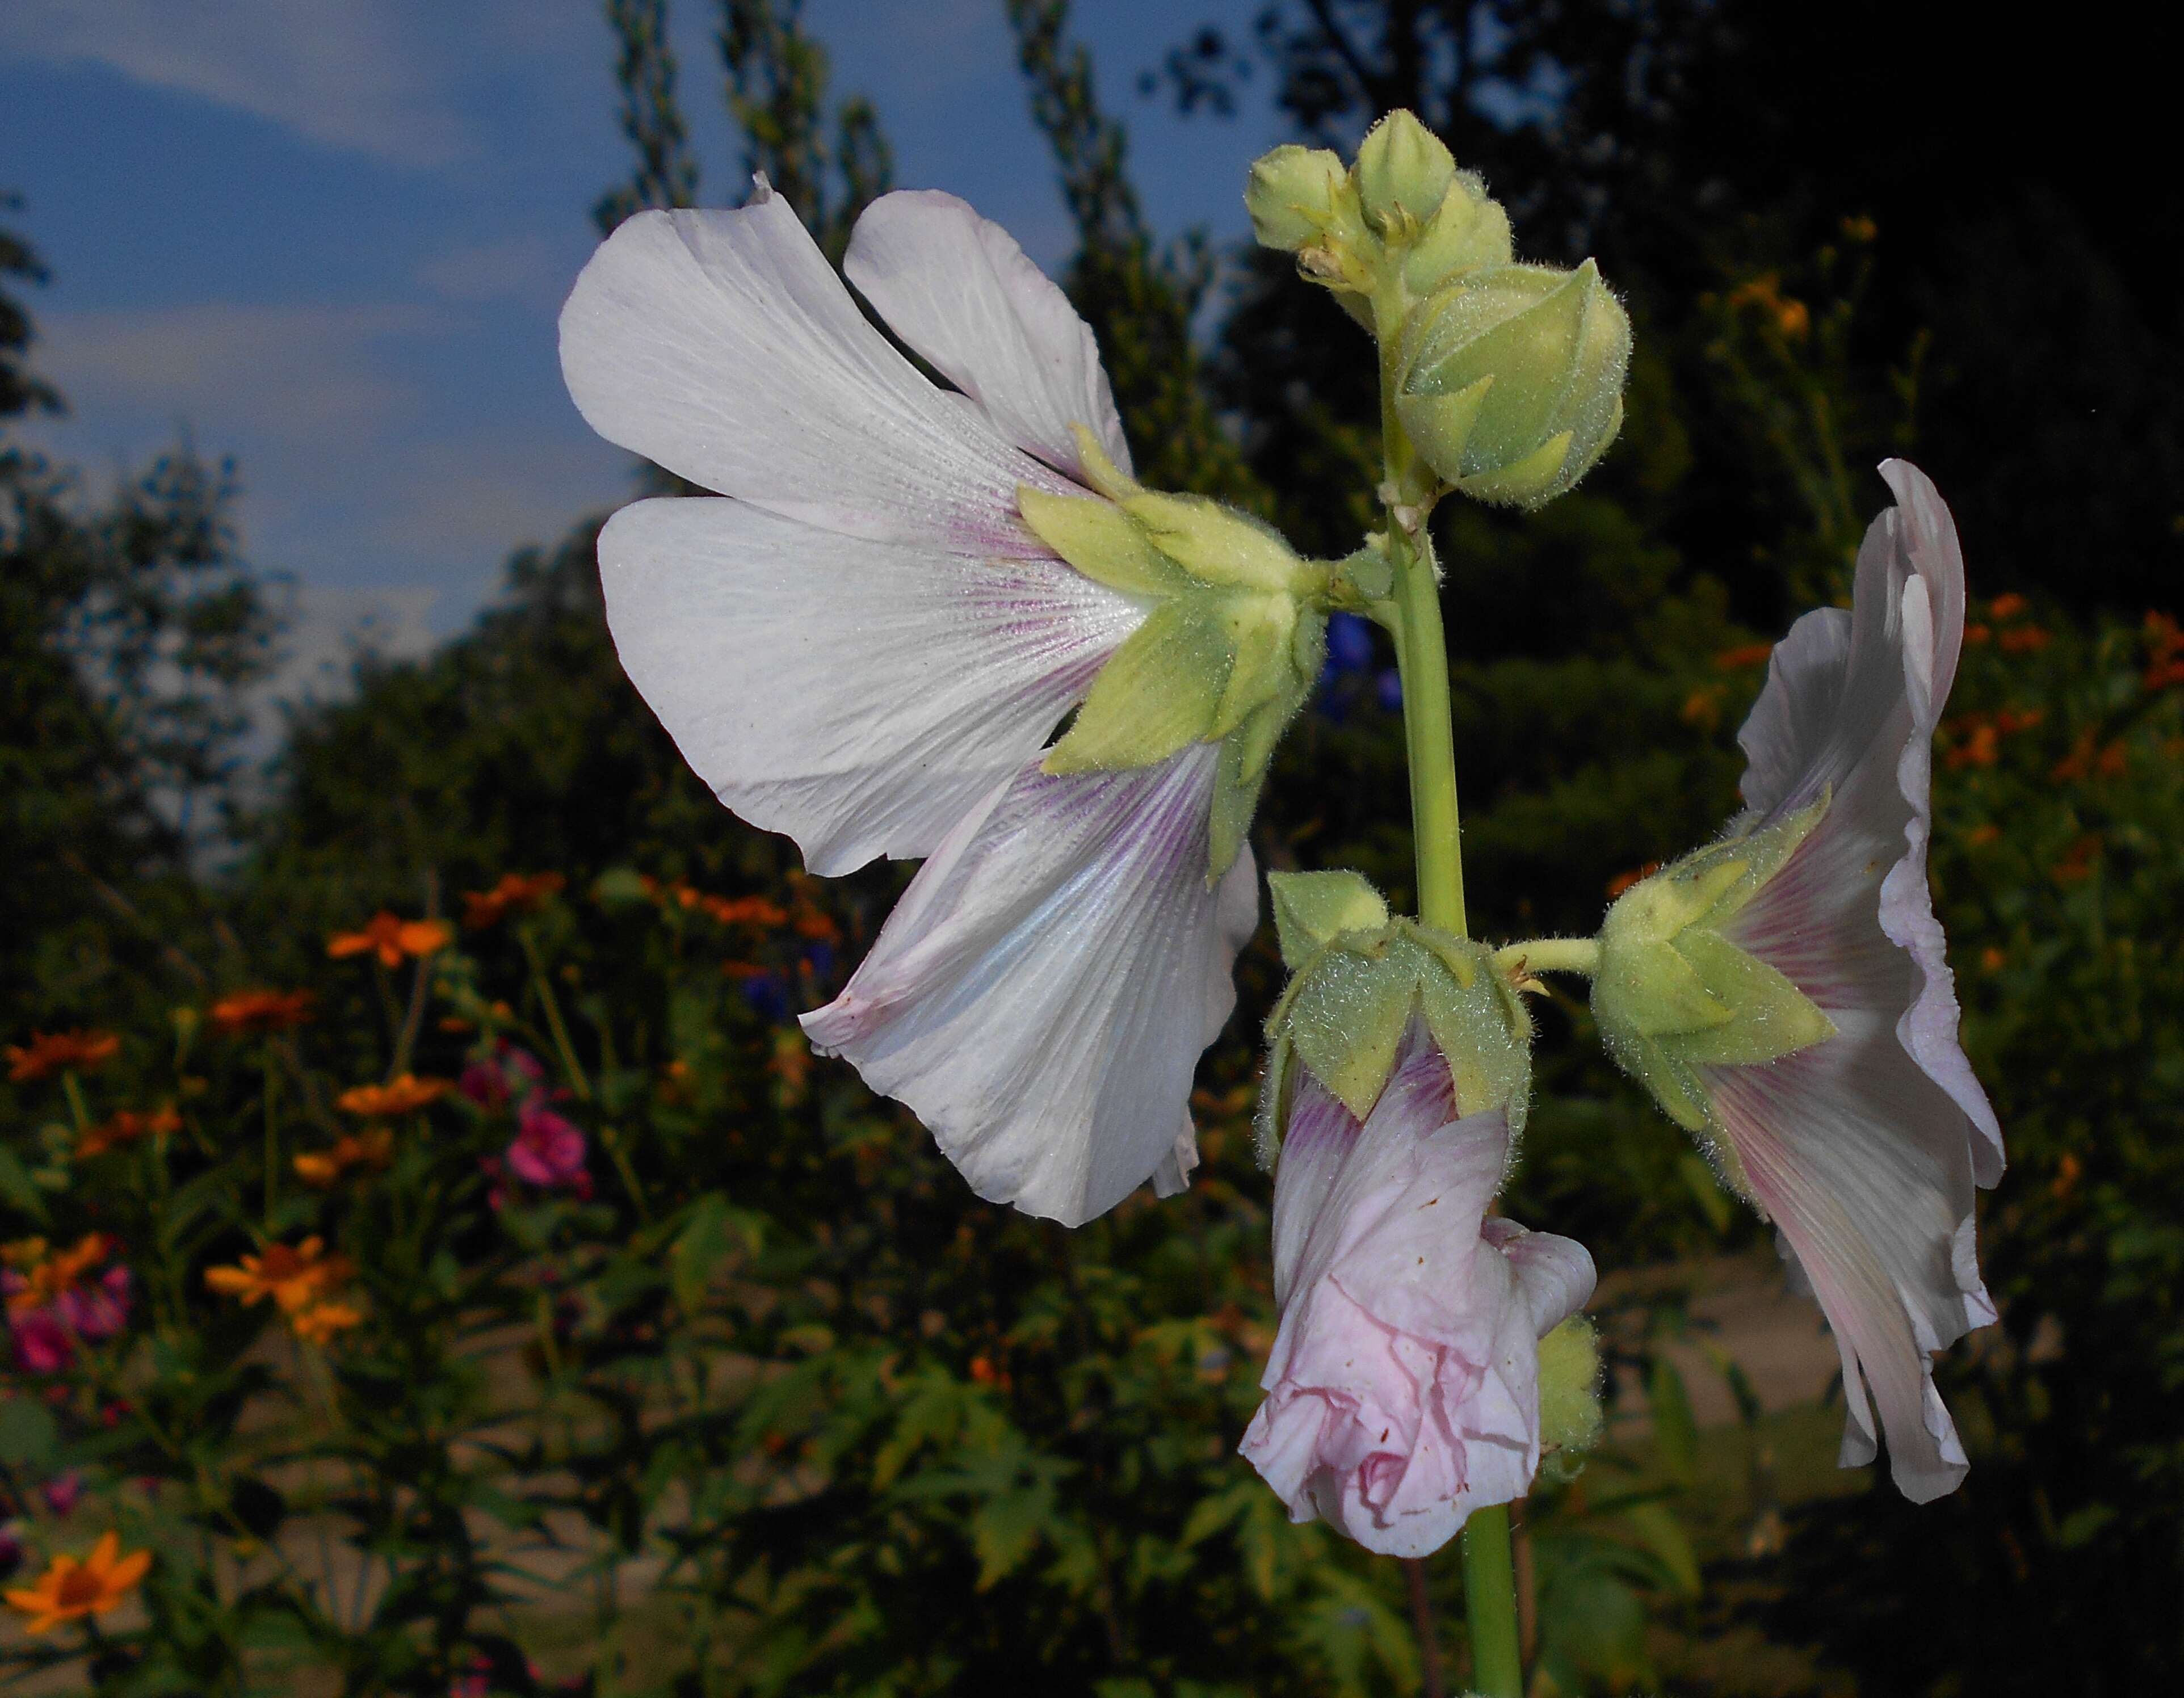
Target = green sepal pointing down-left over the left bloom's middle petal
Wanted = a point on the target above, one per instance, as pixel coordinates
(1156, 695)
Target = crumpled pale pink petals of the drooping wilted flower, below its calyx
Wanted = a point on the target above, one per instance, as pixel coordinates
(1405, 1378)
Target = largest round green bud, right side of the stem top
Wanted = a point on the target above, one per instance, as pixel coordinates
(1512, 381)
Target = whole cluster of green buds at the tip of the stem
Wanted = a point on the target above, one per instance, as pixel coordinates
(1508, 376)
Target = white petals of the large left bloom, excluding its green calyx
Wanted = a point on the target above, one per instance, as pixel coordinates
(859, 643)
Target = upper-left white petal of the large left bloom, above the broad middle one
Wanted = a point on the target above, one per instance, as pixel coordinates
(724, 348)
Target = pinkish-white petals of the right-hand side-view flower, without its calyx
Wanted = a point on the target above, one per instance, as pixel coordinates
(1866, 1147)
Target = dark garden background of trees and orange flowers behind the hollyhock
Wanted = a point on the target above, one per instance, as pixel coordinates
(431, 1241)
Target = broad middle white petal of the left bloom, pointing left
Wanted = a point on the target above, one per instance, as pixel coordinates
(855, 695)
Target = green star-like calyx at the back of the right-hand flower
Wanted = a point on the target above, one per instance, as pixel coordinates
(1674, 994)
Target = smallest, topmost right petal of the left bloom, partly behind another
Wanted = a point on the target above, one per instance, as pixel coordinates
(960, 291)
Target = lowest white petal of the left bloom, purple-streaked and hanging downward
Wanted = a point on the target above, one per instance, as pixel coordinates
(1041, 992)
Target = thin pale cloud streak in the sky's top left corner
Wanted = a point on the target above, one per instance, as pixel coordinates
(357, 75)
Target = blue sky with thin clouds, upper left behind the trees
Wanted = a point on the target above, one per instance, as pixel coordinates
(331, 237)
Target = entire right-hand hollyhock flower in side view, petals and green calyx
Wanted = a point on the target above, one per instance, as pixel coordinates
(1788, 999)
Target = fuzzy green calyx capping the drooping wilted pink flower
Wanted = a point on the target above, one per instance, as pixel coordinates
(1362, 981)
